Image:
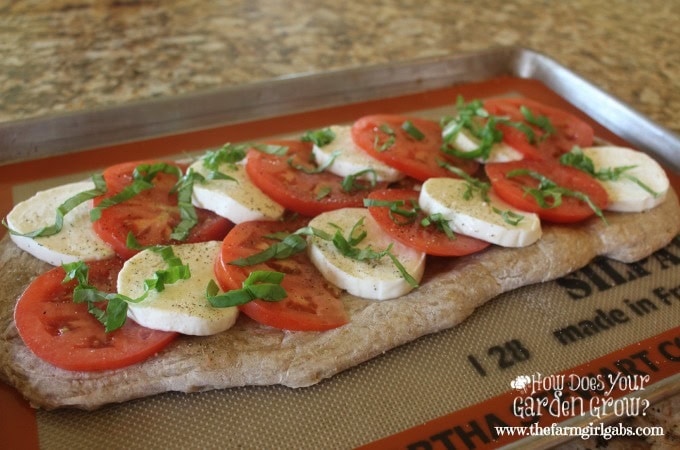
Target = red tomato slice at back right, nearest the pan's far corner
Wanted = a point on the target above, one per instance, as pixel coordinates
(569, 129)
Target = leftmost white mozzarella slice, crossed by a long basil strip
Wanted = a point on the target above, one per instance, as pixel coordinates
(76, 241)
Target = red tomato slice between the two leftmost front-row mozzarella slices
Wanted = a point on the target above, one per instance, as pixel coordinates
(312, 304)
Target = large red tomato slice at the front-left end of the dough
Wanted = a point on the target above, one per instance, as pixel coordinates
(64, 334)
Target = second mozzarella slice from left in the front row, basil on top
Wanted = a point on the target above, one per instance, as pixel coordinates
(376, 279)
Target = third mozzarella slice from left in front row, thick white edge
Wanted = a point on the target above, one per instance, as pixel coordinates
(475, 217)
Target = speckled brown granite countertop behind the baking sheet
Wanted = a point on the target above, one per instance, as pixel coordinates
(68, 55)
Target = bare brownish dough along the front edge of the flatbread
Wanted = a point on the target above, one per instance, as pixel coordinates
(251, 354)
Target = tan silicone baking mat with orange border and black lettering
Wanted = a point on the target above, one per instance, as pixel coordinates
(448, 388)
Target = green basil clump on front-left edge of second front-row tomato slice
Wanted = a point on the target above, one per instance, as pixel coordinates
(260, 285)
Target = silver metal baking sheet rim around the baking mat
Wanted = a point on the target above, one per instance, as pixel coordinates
(67, 133)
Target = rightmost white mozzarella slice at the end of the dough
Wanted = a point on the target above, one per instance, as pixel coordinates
(625, 195)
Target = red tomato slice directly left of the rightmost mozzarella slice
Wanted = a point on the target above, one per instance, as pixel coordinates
(571, 210)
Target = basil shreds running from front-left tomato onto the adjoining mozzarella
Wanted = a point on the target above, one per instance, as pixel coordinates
(116, 310)
